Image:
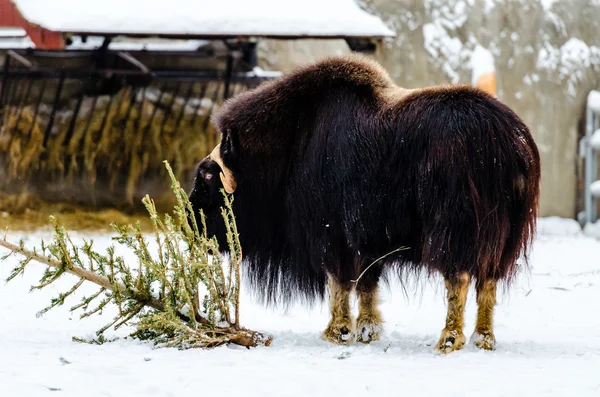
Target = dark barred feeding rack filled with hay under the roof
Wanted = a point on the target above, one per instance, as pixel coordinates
(75, 120)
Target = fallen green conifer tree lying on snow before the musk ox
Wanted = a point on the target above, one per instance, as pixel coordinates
(162, 298)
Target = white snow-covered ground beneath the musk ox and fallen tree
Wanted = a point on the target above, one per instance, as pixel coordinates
(547, 326)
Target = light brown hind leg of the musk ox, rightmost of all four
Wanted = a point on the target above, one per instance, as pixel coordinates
(483, 337)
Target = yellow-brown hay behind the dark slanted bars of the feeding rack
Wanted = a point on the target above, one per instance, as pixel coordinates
(115, 153)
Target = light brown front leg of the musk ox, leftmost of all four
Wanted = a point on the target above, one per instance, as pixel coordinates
(340, 329)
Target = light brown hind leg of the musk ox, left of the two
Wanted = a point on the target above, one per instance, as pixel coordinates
(452, 337)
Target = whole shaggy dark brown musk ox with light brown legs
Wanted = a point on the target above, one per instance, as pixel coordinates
(333, 168)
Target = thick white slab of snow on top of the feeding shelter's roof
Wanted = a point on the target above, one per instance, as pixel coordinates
(268, 18)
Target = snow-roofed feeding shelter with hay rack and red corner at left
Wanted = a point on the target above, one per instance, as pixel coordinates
(116, 70)
